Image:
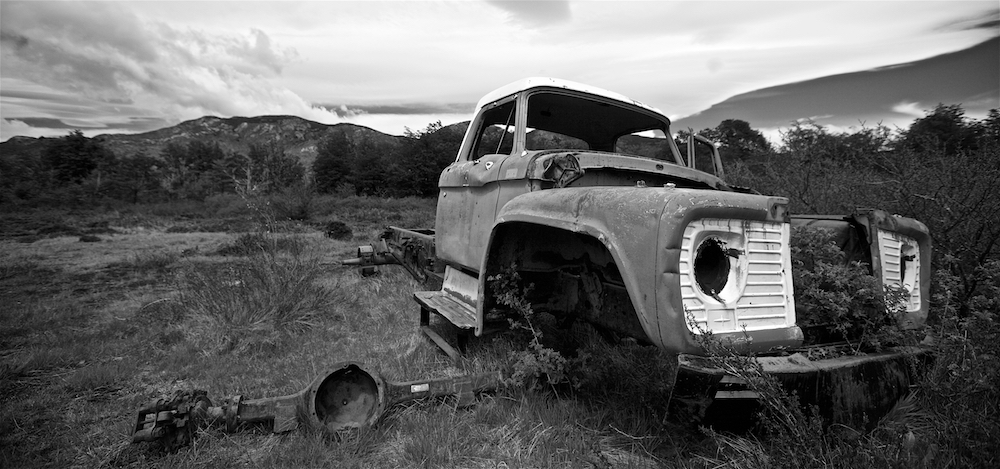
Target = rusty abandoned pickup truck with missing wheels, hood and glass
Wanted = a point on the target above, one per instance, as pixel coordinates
(586, 193)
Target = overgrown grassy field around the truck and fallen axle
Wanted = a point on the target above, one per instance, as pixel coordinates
(92, 331)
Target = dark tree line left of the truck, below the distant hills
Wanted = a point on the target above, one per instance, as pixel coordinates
(75, 169)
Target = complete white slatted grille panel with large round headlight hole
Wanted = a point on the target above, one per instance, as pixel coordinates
(756, 293)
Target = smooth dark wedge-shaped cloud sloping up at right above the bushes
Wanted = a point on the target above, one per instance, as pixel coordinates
(970, 77)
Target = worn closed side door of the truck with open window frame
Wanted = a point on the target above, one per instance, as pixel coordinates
(467, 201)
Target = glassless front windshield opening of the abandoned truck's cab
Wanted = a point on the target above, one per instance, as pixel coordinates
(565, 121)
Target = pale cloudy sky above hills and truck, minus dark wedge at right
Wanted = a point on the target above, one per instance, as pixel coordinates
(107, 67)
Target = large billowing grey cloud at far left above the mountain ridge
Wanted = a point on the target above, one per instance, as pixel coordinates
(103, 53)
